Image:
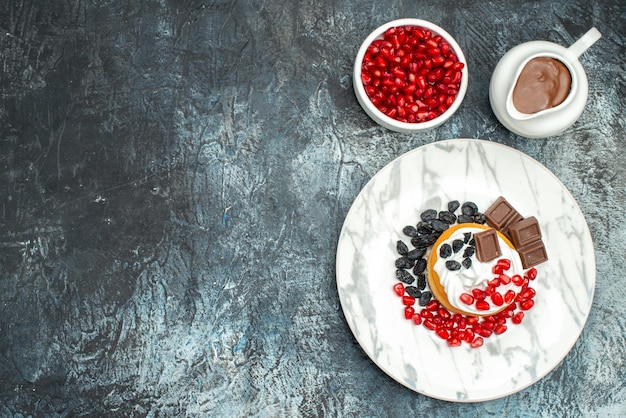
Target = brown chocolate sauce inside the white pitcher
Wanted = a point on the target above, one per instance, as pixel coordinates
(543, 84)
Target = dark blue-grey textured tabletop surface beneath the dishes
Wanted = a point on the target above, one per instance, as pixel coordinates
(174, 178)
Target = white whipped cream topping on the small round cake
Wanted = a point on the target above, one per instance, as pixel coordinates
(477, 275)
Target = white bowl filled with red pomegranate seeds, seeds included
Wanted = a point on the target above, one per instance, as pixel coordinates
(410, 75)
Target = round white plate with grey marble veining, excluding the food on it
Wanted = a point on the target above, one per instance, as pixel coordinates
(429, 177)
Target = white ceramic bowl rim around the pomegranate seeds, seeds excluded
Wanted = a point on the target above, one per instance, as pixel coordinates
(381, 118)
